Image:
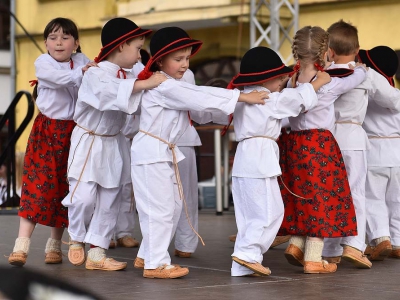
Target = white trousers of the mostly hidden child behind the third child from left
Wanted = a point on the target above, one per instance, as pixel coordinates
(185, 239)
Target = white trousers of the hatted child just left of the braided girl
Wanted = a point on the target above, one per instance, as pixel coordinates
(259, 213)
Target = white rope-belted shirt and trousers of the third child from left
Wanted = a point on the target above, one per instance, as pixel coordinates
(163, 120)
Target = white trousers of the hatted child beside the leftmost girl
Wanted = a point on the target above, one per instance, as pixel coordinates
(92, 213)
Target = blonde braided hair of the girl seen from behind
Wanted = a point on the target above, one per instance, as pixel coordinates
(310, 43)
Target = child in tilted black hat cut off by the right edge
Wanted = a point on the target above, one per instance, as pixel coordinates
(382, 124)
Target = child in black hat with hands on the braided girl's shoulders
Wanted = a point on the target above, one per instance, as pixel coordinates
(256, 195)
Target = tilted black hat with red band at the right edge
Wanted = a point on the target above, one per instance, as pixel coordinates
(382, 59)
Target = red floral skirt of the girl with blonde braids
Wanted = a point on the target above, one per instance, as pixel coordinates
(314, 186)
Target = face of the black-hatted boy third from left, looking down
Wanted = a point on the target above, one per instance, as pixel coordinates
(176, 63)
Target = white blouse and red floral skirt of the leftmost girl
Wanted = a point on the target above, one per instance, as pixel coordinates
(44, 181)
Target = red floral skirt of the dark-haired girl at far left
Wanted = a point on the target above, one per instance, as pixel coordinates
(44, 179)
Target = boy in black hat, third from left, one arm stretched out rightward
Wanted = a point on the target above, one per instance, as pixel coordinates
(163, 120)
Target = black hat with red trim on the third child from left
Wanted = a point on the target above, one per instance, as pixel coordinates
(165, 41)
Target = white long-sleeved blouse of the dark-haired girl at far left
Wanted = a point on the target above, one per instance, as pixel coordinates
(58, 85)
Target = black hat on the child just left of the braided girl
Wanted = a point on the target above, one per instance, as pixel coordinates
(258, 65)
